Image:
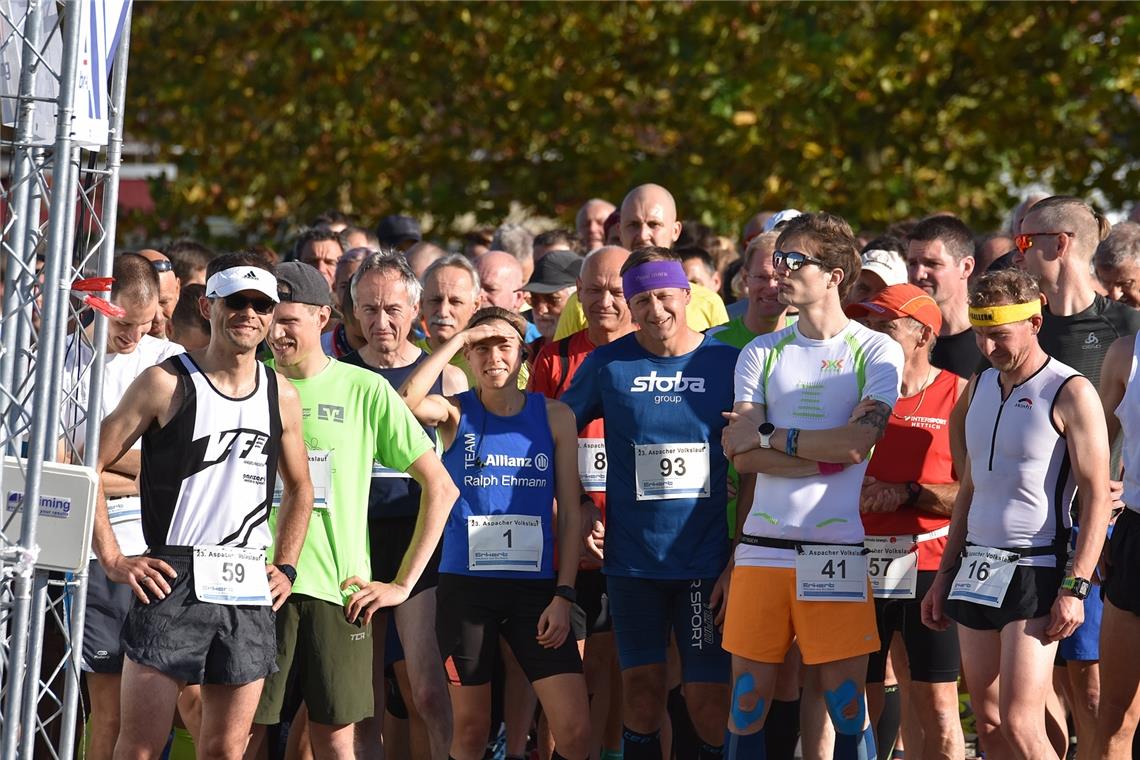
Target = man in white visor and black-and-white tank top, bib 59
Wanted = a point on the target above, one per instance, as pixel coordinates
(174, 636)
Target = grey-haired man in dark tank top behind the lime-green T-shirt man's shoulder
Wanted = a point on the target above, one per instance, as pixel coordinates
(386, 295)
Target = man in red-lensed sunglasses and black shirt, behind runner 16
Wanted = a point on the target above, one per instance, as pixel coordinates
(1057, 243)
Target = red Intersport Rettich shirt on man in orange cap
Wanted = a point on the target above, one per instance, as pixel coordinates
(916, 447)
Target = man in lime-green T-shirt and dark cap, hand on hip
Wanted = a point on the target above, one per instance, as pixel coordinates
(352, 418)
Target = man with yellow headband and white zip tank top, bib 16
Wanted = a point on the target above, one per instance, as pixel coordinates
(1028, 416)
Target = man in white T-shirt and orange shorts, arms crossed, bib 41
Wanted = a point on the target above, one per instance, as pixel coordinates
(811, 403)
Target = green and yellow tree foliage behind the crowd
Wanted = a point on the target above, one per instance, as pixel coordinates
(274, 112)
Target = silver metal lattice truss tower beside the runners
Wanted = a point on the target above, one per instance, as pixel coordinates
(59, 197)
